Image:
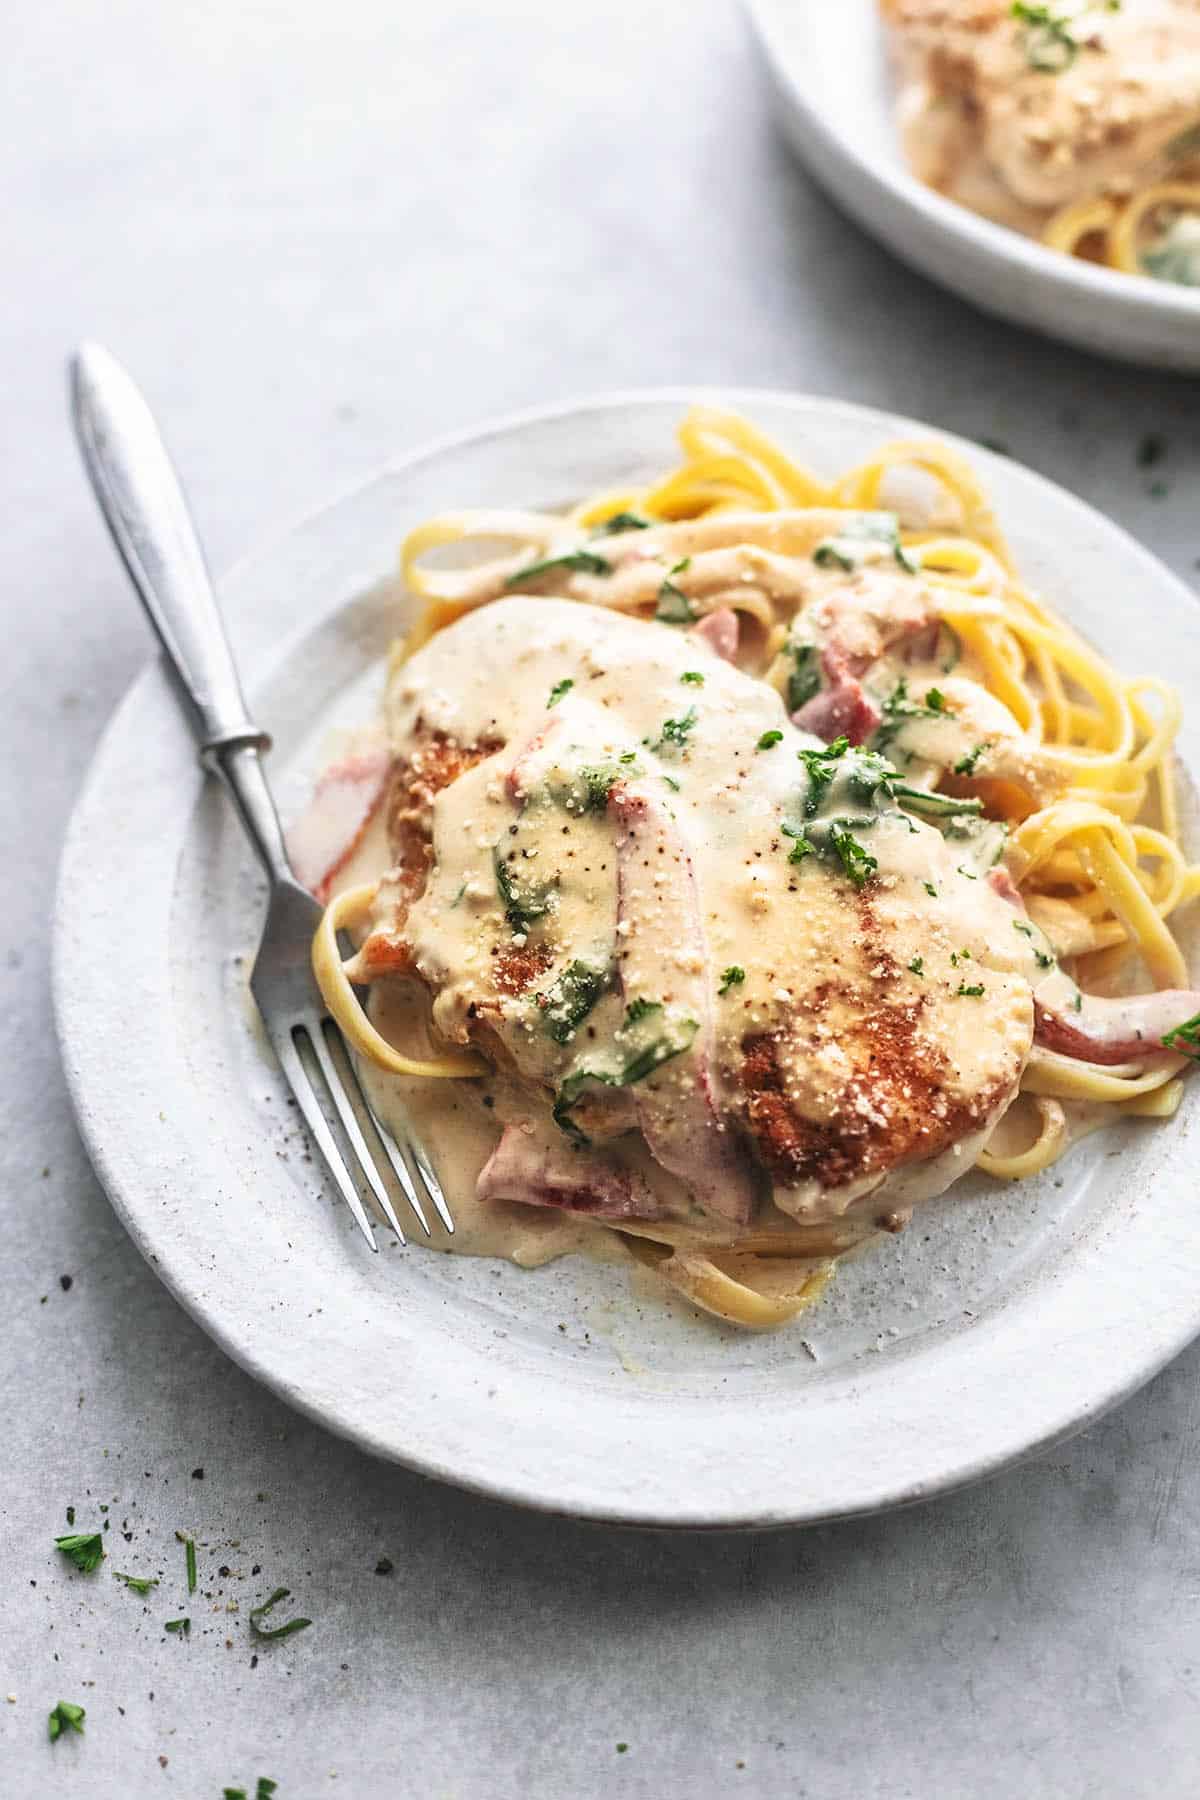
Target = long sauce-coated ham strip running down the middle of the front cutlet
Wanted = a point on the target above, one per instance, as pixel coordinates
(663, 957)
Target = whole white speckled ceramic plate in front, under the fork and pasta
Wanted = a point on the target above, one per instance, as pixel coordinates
(1007, 1318)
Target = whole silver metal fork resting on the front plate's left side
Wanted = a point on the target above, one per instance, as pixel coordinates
(145, 508)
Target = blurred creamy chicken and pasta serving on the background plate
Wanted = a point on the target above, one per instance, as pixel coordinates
(1030, 112)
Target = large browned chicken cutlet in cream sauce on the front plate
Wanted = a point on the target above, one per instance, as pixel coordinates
(665, 910)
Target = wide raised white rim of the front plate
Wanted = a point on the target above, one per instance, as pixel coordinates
(1055, 1356)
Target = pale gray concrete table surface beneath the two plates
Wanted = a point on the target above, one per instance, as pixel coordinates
(319, 237)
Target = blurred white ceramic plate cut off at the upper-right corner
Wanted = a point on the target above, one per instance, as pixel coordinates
(837, 107)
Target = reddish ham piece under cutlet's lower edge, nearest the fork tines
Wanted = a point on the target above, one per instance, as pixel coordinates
(537, 1167)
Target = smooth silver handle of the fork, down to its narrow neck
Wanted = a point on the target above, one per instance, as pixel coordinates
(143, 503)
